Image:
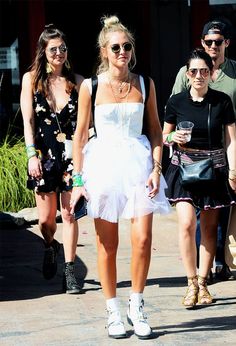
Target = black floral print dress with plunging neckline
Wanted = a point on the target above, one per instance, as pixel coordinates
(51, 128)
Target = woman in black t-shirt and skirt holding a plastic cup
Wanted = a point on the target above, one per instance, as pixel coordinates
(194, 105)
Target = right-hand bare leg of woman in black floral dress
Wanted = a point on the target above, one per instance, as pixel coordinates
(70, 228)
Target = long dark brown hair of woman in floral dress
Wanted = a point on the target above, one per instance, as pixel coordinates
(40, 76)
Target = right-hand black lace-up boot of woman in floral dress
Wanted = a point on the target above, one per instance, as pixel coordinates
(70, 284)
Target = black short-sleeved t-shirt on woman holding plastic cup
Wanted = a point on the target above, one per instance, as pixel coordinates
(181, 107)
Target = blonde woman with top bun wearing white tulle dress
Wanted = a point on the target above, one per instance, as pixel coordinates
(119, 170)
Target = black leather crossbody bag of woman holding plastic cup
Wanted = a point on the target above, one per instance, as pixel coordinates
(200, 172)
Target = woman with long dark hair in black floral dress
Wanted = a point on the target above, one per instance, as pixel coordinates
(48, 100)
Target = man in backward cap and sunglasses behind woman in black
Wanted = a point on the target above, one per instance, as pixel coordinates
(215, 40)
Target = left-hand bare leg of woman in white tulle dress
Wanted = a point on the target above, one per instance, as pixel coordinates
(107, 244)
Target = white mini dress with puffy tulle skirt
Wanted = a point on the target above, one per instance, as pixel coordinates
(118, 162)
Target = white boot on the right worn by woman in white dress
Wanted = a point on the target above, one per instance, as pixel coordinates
(138, 319)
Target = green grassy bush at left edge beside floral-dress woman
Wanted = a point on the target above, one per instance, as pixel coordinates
(14, 194)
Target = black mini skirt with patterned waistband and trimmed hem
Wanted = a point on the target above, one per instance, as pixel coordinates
(218, 194)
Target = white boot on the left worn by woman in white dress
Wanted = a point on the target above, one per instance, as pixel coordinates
(115, 326)
